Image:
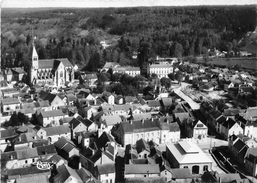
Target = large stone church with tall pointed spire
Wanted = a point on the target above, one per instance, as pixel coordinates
(54, 72)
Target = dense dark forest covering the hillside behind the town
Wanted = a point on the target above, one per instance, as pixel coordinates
(143, 31)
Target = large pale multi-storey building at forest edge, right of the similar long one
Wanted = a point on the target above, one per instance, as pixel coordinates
(161, 70)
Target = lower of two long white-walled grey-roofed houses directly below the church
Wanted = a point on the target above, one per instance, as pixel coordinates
(52, 134)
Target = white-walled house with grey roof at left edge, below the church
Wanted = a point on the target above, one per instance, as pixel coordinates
(9, 105)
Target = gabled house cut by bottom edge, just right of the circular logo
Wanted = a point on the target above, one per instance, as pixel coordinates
(67, 175)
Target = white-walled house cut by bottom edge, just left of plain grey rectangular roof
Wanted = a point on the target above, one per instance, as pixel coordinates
(106, 172)
